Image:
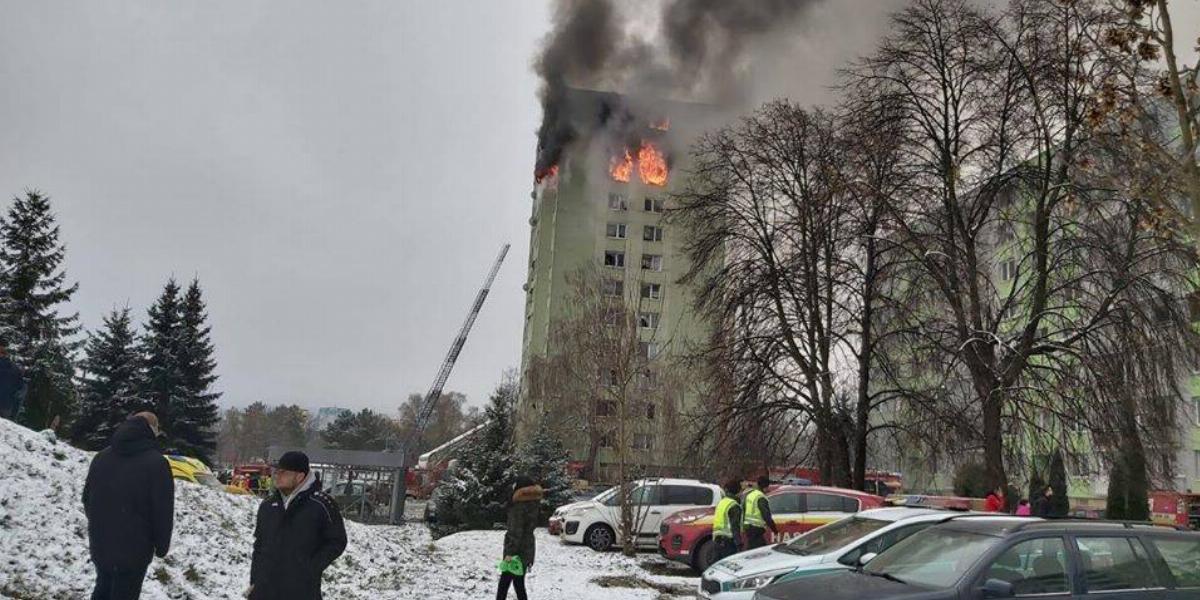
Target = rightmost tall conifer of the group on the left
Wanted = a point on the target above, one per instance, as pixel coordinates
(195, 419)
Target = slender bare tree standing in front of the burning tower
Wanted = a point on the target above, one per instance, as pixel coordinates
(608, 381)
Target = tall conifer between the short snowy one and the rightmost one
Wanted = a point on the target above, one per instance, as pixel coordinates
(163, 388)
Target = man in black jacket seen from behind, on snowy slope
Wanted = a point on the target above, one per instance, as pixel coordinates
(130, 501)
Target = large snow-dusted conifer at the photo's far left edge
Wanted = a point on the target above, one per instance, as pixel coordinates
(40, 340)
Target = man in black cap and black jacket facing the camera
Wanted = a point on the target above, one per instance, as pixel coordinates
(298, 535)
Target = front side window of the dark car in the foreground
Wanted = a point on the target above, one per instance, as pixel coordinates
(1034, 568)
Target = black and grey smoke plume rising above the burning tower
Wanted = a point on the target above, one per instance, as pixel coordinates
(700, 50)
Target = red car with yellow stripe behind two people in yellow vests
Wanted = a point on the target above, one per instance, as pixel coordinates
(687, 537)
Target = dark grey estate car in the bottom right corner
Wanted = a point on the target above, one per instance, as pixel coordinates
(986, 557)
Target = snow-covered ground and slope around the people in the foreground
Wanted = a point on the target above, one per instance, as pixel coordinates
(44, 547)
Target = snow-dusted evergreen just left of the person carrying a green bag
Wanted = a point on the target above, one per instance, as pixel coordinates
(478, 490)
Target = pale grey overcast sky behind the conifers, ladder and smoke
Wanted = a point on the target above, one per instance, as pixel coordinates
(339, 175)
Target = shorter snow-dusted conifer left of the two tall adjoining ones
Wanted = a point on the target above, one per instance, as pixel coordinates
(110, 383)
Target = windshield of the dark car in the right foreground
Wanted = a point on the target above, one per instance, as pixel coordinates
(937, 557)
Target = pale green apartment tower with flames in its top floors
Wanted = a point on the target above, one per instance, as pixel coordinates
(599, 207)
